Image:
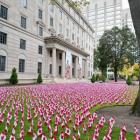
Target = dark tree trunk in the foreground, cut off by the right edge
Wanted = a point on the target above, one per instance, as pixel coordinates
(135, 12)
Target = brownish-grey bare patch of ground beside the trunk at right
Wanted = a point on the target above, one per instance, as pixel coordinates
(121, 114)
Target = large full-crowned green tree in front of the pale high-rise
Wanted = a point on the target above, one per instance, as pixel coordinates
(115, 46)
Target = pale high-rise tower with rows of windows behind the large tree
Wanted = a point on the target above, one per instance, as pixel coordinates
(103, 15)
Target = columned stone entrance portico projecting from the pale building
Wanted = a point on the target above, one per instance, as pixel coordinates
(62, 61)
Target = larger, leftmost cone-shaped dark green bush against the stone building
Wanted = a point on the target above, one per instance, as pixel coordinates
(14, 77)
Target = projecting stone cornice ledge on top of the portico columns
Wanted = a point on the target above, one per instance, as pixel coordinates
(55, 39)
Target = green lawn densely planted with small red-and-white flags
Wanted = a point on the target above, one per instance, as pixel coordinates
(38, 111)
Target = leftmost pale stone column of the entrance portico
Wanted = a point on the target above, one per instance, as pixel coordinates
(54, 63)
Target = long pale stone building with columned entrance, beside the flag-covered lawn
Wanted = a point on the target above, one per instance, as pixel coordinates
(47, 37)
